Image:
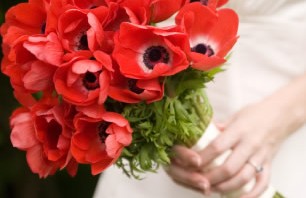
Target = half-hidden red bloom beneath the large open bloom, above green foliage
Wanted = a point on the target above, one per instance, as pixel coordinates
(133, 91)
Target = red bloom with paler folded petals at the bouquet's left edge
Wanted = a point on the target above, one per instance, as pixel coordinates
(27, 73)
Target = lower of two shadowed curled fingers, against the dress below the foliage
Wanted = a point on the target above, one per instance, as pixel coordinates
(190, 179)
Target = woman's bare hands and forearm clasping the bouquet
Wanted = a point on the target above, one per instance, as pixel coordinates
(253, 134)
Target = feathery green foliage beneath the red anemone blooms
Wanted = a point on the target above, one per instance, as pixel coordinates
(180, 117)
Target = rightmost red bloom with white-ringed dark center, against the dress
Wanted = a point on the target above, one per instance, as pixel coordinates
(212, 34)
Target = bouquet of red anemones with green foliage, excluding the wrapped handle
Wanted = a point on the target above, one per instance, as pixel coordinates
(101, 82)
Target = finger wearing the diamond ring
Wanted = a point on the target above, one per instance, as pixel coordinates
(243, 177)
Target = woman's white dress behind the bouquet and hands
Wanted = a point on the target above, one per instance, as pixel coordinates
(270, 52)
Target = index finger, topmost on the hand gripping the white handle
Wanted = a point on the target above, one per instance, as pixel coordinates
(222, 143)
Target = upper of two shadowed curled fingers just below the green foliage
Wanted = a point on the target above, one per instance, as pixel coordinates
(186, 157)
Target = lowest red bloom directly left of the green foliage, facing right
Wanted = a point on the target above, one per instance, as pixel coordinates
(99, 140)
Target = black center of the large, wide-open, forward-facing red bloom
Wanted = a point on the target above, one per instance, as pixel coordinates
(154, 55)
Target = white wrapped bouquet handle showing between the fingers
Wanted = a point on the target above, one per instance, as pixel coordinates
(210, 134)
